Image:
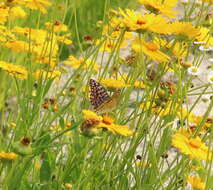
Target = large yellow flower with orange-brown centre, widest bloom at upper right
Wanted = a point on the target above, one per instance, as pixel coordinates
(136, 21)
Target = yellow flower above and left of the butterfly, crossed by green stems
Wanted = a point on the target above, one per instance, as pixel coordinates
(76, 63)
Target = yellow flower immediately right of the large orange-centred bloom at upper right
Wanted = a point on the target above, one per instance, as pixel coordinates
(184, 28)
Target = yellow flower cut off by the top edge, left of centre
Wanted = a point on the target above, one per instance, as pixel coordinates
(35, 4)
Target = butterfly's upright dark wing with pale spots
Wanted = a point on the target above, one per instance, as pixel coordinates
(98, 94)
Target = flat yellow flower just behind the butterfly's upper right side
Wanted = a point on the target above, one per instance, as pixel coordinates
(113, 83)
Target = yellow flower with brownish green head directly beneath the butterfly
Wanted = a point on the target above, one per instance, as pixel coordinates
(93, 123)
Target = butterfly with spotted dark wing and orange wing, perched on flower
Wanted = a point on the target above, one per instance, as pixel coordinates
(100, 99)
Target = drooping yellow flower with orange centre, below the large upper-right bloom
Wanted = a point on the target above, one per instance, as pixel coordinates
(151, 49)
